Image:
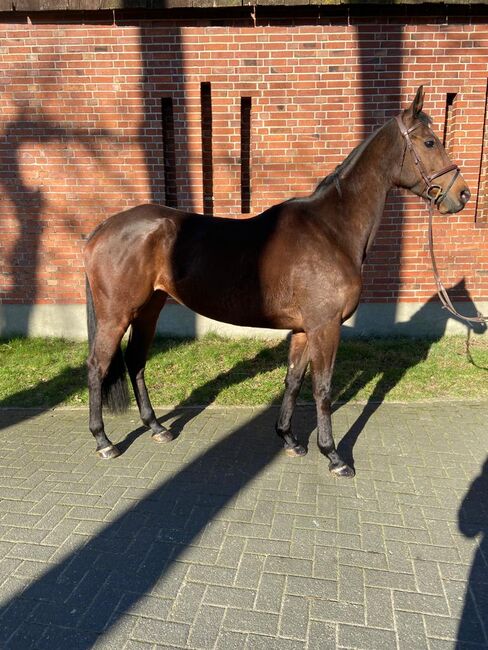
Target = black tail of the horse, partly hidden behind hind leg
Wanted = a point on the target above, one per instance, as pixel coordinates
(115, 391)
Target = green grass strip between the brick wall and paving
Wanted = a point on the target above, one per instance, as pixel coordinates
(51, 372)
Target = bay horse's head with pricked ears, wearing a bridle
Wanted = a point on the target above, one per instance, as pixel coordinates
(426, 169)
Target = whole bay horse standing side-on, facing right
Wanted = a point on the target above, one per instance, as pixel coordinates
(295, 266)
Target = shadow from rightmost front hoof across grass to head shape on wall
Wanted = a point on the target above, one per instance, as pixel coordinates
(417, 352)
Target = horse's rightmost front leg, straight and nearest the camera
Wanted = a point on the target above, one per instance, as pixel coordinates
(323, 343)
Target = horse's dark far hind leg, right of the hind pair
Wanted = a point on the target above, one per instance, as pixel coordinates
(141, 336)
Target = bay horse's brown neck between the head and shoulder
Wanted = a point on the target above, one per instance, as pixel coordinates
(364, 189)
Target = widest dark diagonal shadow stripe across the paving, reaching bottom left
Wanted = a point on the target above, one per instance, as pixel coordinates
(139, 552)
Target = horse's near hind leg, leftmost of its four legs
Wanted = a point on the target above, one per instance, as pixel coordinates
(105, 347)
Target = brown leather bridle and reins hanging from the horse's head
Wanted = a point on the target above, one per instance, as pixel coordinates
(436, 194)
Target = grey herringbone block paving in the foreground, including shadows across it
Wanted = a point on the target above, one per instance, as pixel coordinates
(219, 540)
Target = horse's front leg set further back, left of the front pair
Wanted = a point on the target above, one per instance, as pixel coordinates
(298, 358)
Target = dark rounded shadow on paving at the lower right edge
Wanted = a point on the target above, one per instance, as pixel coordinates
(473, 521)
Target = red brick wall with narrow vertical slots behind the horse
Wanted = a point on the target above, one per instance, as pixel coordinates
(81, 135)
